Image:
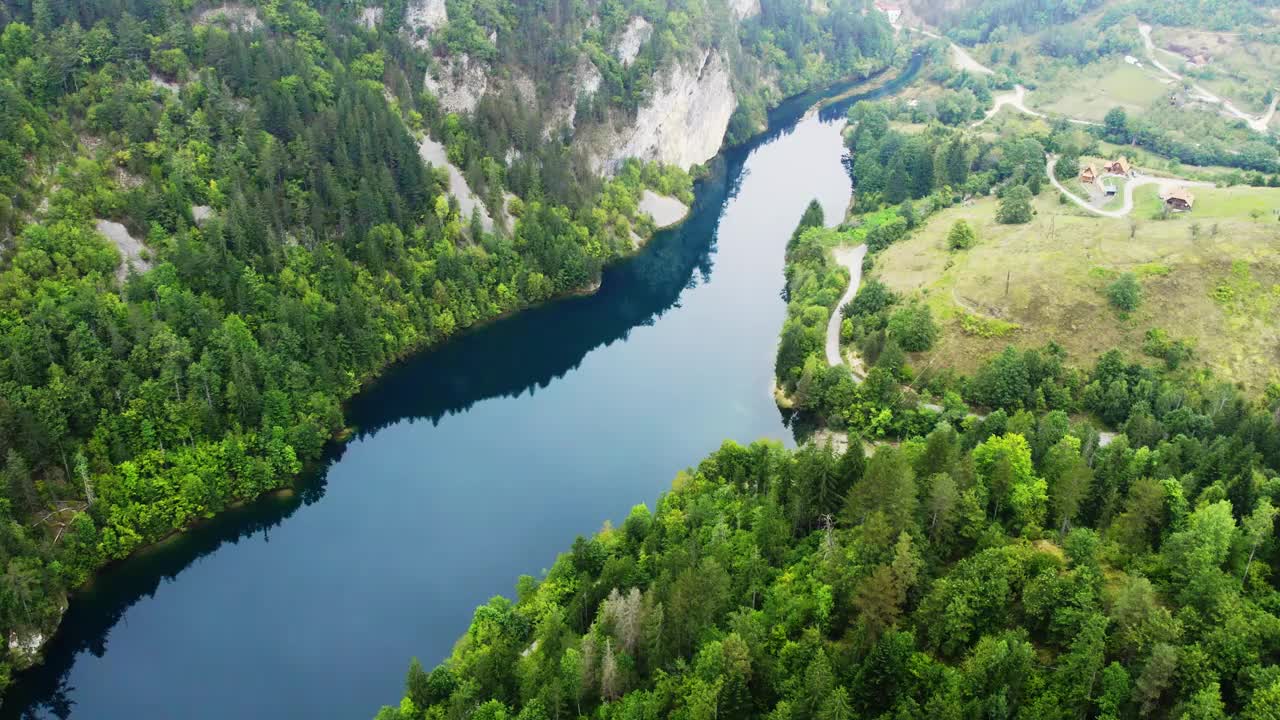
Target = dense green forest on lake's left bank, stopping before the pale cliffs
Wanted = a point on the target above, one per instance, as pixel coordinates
(129, 411)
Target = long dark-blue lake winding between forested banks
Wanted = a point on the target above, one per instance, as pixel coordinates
(473, 464)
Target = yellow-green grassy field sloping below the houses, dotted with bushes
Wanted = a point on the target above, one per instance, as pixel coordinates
(1027, 285)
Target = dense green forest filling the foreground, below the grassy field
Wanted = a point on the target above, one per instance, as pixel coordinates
(1002, 568)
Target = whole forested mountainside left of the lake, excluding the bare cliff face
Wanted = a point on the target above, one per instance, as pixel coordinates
(217, 224)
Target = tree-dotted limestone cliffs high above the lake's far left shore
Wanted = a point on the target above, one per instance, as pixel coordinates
(685, 108)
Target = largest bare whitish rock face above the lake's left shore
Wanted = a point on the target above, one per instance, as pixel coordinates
(683, 125)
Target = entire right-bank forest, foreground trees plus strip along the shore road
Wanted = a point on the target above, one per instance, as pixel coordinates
(1016, 564)
